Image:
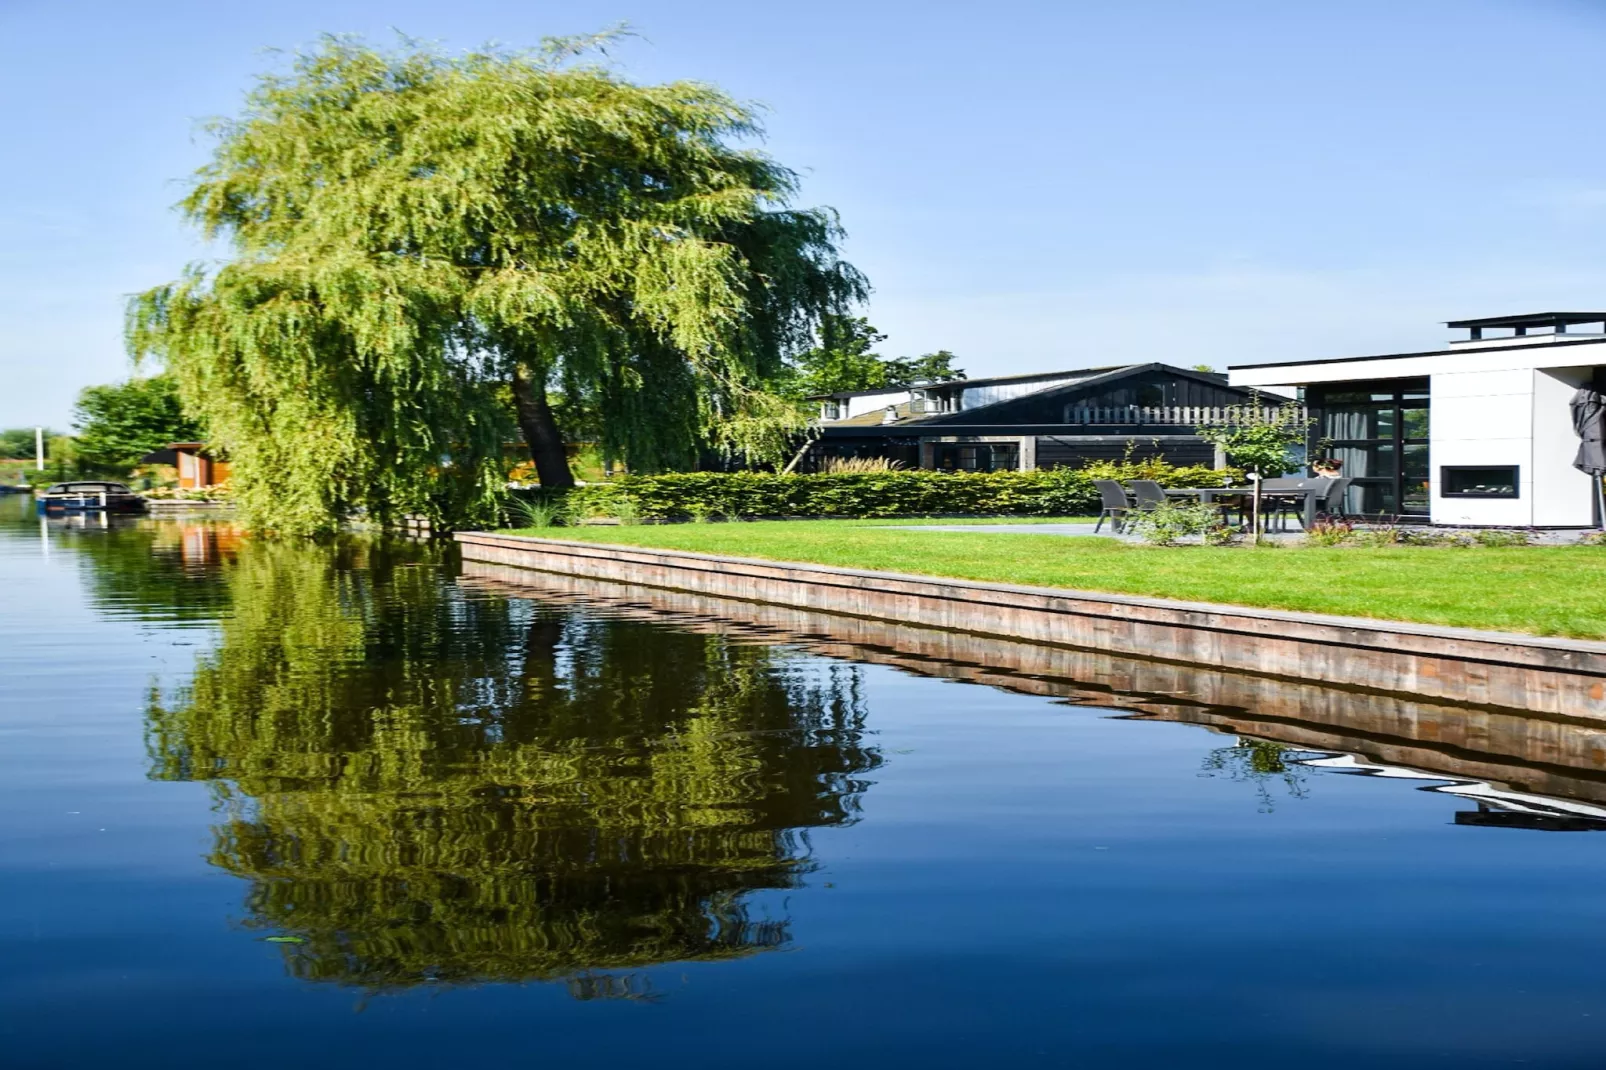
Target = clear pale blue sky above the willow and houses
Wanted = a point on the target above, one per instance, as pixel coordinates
(1032, 186)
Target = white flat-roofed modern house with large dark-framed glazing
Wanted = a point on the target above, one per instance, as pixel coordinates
(1478, 433)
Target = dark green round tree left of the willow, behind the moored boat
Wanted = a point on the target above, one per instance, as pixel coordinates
(121, 423)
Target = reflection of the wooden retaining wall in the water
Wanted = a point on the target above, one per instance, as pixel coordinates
(1515, 749)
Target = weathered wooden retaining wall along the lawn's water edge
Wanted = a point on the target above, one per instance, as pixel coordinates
(1461, 666)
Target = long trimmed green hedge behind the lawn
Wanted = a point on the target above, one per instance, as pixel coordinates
(732, 496)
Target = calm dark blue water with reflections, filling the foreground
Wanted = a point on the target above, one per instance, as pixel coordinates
(269, 806)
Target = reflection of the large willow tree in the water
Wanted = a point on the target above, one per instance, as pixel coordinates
(430, 786)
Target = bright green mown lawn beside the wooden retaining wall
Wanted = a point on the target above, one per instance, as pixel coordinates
(1543, 590)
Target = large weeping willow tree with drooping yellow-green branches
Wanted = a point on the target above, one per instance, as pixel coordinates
(425, 242)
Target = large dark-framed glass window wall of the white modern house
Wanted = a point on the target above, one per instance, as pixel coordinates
(1380, 433)
